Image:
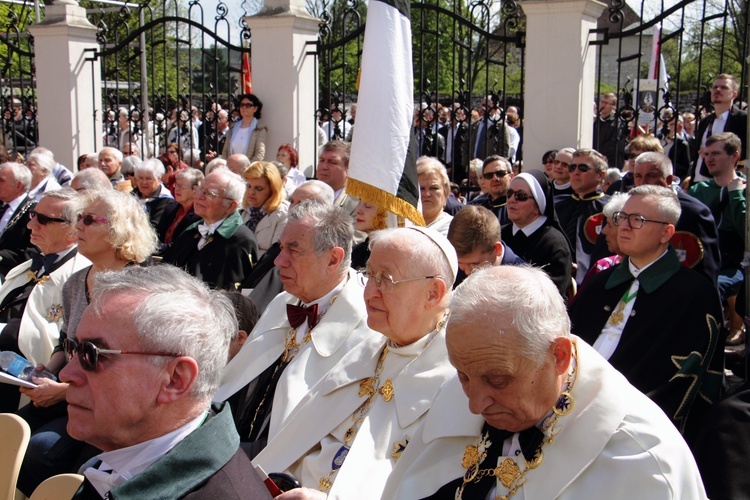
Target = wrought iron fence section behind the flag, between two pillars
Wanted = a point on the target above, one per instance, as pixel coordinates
(468, 66)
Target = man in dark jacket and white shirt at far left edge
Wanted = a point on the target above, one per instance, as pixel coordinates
(15, 244)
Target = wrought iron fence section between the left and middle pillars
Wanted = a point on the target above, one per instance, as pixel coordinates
(167, 69)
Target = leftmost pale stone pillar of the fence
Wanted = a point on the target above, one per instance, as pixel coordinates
(68, 94)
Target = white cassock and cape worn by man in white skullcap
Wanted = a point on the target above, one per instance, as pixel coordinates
(314, 433)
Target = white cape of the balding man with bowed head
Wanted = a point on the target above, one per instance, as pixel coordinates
(615, 444)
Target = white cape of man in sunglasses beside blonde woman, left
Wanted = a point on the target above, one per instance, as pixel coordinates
(42, 318)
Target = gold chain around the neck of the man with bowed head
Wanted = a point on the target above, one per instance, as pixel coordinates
(508, 472)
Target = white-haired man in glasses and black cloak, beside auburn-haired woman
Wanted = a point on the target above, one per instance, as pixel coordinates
(219, 249)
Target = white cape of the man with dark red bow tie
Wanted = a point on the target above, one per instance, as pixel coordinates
(340, 329)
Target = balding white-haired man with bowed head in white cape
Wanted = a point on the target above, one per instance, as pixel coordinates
(534, 411)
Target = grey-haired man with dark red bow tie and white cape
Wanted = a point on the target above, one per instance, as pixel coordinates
(304, 331)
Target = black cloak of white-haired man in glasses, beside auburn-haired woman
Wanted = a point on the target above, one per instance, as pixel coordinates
(224, 262)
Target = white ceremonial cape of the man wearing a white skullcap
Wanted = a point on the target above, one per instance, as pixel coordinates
(334, 399)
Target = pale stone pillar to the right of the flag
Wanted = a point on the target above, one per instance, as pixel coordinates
(560, 76)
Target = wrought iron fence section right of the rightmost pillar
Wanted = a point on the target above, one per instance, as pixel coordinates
(660, 58)
